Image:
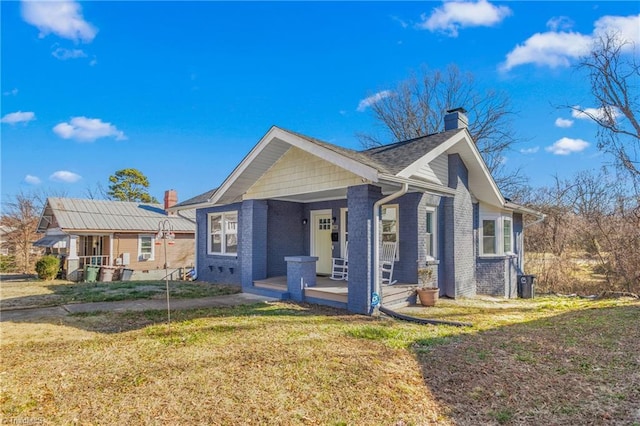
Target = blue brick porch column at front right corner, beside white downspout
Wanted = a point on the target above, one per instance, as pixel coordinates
(360, 201)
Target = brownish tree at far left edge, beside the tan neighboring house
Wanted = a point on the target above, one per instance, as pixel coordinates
(21, 216)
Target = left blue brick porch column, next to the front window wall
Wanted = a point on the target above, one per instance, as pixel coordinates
(252, 242)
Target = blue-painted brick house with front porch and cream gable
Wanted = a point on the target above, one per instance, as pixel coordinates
(293, 202)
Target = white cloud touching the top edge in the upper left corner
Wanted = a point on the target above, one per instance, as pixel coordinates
(63, 18)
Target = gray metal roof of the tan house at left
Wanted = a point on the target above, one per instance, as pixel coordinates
(72, 214)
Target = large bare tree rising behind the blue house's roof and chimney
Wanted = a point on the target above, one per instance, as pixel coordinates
(418, 105)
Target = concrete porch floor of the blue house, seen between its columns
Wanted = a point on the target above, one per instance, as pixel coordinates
(335, 292)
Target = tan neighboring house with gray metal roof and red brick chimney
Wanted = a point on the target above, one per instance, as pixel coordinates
(117, 233)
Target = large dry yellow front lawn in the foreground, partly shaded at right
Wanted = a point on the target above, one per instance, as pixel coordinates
(537, 361)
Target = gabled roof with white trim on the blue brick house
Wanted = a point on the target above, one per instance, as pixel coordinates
(387, 165)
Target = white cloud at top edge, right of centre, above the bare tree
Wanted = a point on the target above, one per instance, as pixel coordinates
(454, 15)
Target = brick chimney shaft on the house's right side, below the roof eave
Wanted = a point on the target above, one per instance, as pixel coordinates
(459, 253)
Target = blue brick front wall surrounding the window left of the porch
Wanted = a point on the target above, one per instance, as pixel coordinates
(216, 268)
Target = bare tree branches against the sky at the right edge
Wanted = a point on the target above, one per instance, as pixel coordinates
(614, 74)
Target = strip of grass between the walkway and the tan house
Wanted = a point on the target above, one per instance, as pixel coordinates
(58, 292)
